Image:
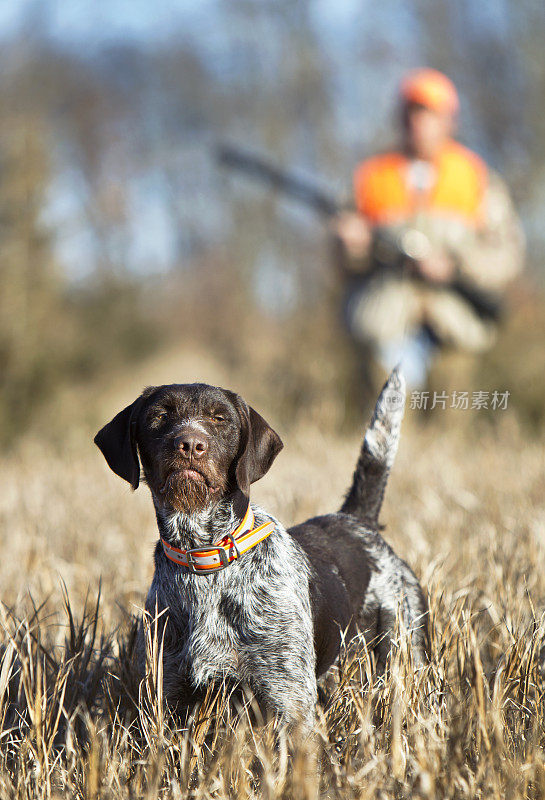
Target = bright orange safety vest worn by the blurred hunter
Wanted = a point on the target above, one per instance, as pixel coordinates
(382, 193)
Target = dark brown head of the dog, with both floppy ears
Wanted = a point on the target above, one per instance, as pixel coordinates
(197, 444)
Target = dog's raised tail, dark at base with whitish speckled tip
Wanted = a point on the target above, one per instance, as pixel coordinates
(364, 499)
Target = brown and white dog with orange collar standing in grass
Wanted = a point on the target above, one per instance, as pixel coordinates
(242, 598)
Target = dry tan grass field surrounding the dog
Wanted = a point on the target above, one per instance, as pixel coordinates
(464, 507)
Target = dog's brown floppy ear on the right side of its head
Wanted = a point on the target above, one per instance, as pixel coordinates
(259, 445)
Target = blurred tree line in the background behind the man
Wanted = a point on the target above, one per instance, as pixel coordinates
(117, 230)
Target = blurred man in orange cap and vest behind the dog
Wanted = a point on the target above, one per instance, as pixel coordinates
(434, 239)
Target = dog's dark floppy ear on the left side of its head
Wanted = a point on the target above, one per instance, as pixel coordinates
(117, 442)
